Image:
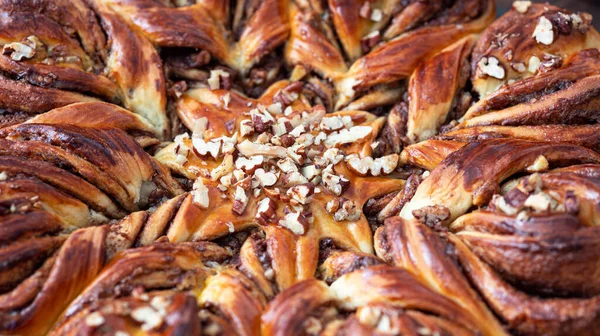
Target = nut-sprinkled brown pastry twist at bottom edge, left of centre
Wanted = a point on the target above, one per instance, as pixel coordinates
(164, 288)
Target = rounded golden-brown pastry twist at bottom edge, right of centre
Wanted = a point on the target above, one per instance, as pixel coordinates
(381, 299)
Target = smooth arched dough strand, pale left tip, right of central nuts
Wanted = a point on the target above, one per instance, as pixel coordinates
(472, 175)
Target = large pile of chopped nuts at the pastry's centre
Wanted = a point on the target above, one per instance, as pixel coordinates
(282, 158)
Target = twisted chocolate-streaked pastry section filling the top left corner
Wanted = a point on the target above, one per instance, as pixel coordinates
(75, 52)
